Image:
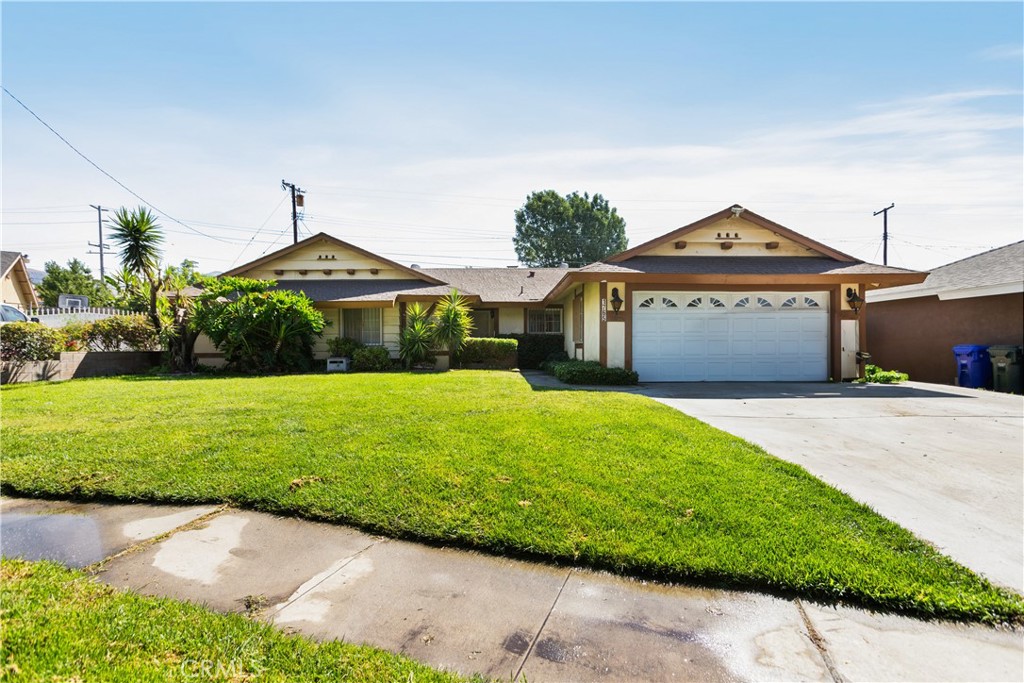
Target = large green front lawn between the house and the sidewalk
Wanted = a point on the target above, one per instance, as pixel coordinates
(480, 459)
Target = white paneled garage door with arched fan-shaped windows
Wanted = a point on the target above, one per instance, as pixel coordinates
(731, 337)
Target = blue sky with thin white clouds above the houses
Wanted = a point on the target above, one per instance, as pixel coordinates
(418, 130)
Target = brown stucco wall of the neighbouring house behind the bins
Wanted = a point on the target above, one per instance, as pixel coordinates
(917, 336)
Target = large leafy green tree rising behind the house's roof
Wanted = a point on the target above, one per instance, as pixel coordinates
(551, 230)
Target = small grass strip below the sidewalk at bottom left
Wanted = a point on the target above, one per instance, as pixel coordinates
(63, 626)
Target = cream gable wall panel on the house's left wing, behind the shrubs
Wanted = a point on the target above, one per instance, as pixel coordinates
(326, 257)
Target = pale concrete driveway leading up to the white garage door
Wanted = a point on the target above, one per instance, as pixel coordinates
(945, 462)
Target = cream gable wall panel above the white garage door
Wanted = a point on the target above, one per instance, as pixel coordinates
(751, 242)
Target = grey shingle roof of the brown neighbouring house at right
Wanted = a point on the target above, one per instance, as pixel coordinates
(994, 273)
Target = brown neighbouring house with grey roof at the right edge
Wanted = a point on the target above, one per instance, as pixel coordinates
(977, 301)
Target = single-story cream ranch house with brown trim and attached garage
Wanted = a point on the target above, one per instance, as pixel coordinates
(732, 297)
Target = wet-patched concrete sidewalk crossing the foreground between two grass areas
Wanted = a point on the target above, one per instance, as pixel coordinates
(476, 614)
